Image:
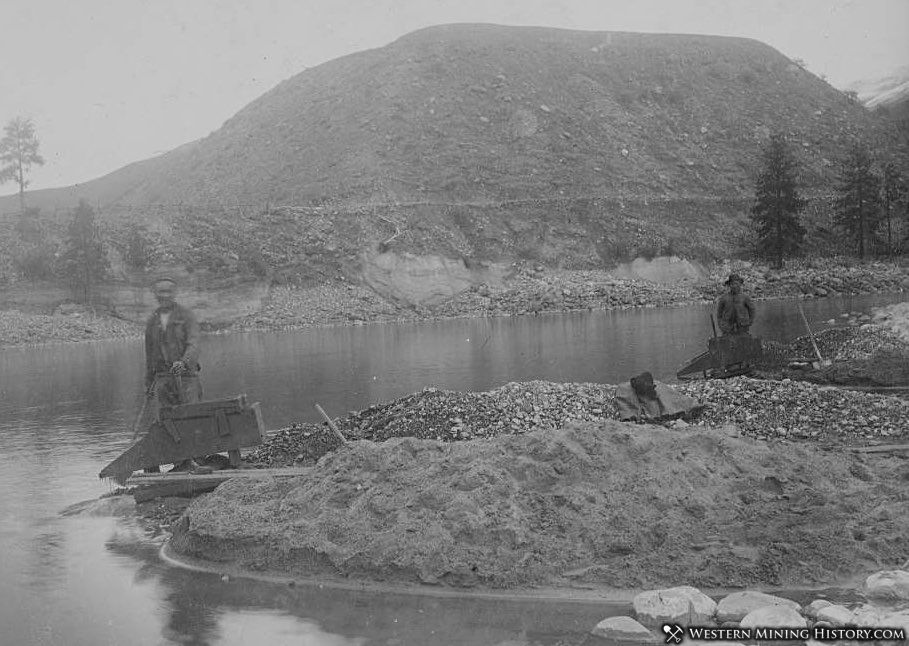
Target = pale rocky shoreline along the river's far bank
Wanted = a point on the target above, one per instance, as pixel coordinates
(529, 292)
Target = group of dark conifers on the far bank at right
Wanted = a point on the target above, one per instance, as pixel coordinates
(870, 206)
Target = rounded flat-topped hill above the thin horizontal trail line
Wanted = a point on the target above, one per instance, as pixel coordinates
(483, 112)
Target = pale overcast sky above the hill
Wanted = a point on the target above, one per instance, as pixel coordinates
(109, 82)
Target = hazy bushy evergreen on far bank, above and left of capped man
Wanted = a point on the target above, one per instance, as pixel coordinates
(84, 260)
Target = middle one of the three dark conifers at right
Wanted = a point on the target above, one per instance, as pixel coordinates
(858, 200)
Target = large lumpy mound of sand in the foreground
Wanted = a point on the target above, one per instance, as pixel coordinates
(605, 504)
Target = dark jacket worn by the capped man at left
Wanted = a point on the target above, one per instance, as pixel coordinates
(178, 342)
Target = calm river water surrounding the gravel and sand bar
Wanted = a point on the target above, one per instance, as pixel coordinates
(66, 410)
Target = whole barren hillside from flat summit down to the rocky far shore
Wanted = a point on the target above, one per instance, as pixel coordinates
(495, 142)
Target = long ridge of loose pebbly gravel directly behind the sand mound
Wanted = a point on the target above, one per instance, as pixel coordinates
(785, 409)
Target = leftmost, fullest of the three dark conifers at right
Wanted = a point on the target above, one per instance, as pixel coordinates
(777, 203)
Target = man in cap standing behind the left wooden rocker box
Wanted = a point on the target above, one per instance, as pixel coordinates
(172, 353)
